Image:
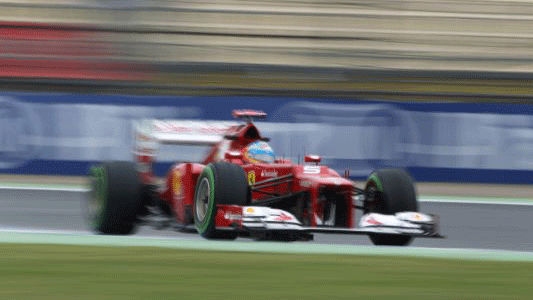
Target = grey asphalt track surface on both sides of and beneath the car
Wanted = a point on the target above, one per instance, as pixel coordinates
(466, 225)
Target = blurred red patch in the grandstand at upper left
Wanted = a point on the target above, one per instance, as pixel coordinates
(59, 51)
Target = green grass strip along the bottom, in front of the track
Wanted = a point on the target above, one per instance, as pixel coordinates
(89, 272)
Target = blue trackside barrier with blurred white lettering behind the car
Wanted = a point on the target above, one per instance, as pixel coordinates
(63, 134)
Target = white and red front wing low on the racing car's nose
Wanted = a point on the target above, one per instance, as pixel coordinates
(258, 219)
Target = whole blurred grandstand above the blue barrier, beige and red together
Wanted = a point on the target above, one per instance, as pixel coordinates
(183, 44)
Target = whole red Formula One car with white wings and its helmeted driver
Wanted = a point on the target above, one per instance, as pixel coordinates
(241, 189)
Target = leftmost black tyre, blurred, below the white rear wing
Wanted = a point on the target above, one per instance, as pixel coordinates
(114, 198)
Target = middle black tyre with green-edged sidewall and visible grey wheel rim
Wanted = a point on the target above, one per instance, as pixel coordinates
(219, 183)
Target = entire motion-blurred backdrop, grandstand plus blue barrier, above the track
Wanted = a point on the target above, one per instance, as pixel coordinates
(442, 88)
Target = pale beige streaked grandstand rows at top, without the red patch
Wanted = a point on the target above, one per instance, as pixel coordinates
(412, 34)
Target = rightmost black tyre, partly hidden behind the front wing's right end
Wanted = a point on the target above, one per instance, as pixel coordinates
(389, 192)
